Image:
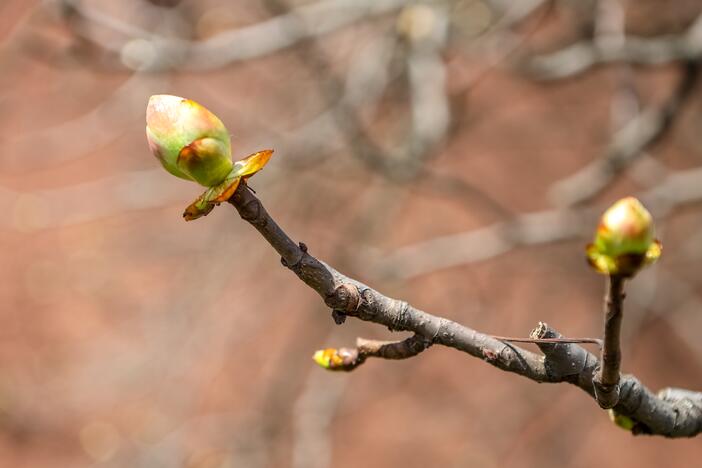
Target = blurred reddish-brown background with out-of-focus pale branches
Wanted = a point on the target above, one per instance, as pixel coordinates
(452, 153)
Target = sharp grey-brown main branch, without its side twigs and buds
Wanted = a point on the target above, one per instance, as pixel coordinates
(673, 414)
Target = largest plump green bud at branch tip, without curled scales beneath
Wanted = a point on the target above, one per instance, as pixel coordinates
(189, 140)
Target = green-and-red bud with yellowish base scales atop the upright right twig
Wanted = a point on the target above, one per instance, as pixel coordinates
(624, 241)
